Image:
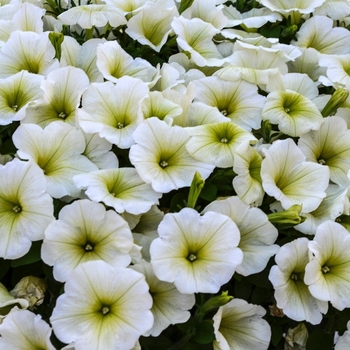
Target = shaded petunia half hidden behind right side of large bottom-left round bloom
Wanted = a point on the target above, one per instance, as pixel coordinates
(169, 305)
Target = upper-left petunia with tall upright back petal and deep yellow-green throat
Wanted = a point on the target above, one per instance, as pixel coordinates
(63, 89)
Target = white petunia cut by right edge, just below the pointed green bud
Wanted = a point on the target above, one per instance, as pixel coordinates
(329, 146)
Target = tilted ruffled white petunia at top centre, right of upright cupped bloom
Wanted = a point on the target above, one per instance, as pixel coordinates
(195, 36)
